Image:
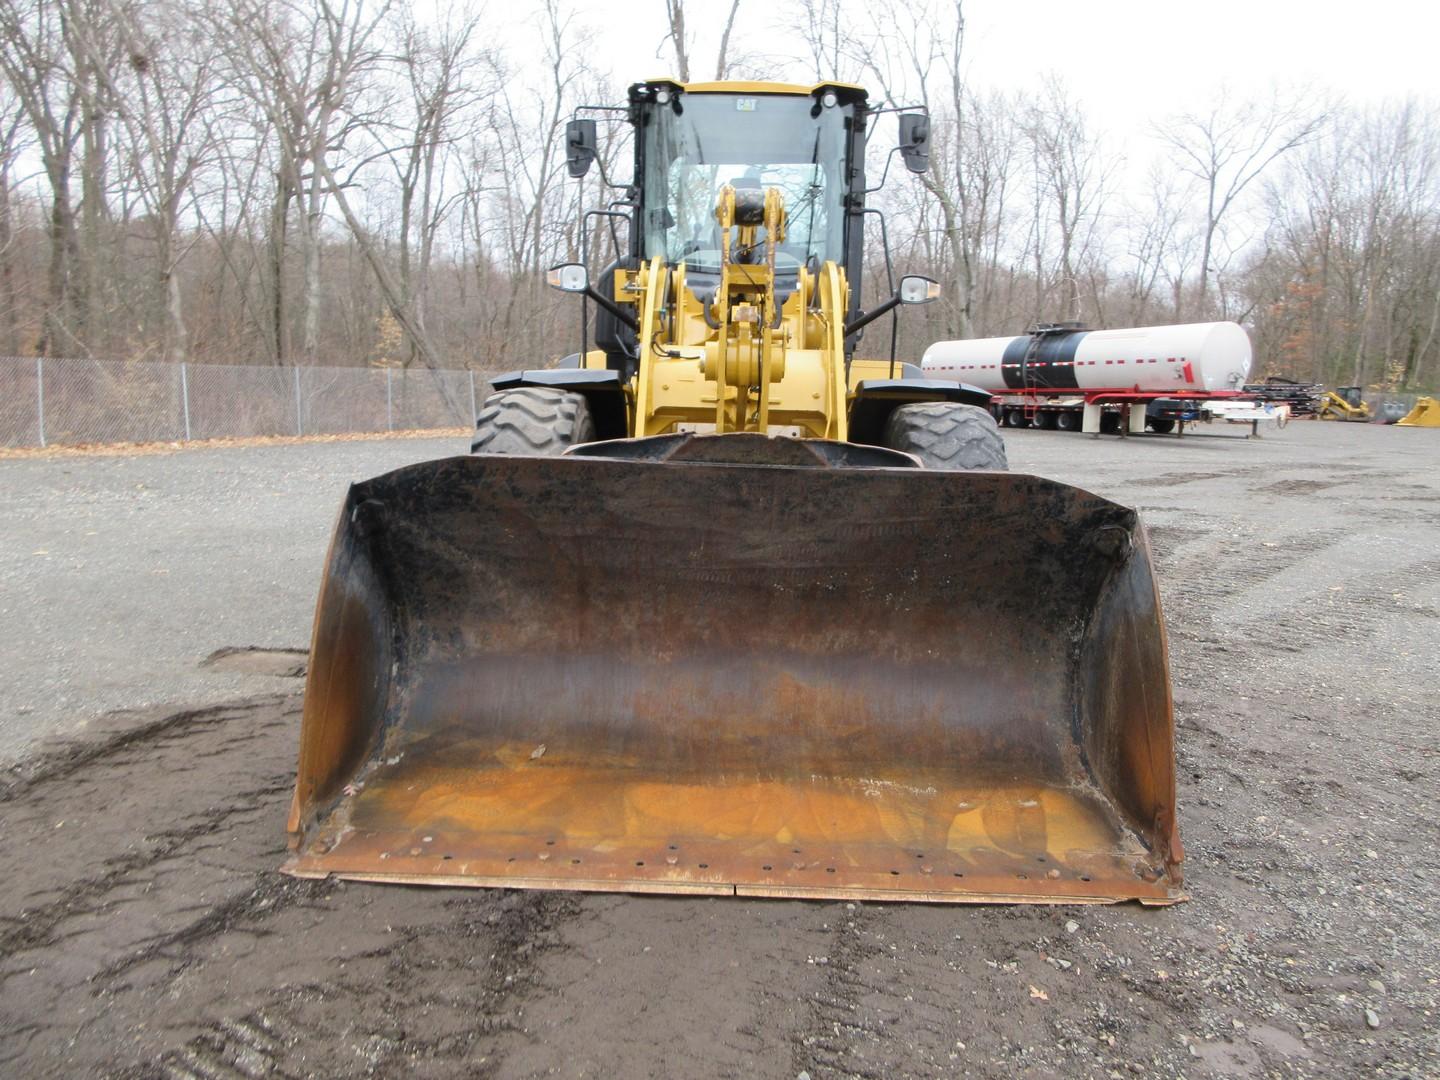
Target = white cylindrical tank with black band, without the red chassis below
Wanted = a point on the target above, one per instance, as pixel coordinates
(1200, 358)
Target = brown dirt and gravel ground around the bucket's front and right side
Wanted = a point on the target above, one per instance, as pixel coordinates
(145, 931)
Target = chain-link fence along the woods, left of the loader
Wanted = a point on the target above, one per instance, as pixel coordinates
(67, 402)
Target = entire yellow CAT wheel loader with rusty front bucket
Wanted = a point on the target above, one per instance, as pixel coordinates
(719, 607)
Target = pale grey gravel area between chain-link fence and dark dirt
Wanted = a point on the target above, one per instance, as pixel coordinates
(119, 575)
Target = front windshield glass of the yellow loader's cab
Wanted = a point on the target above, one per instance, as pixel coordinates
(699, 143)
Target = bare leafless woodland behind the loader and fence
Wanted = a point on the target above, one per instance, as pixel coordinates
(343, 182)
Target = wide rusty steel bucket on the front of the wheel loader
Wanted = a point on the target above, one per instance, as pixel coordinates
(685, 676)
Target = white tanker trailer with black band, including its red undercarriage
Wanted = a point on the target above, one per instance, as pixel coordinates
(1050, 375)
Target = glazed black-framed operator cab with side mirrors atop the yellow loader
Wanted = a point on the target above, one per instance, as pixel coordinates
(692, 140)
